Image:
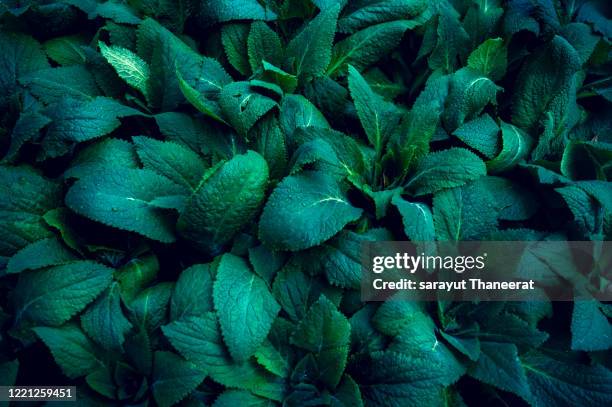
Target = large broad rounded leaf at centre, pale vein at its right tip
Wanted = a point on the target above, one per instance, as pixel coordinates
(305, 210)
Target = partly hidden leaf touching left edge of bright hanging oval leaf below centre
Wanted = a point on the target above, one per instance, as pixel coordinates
(192, 294)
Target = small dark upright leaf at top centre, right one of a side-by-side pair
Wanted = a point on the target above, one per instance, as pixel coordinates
(263, 44)
